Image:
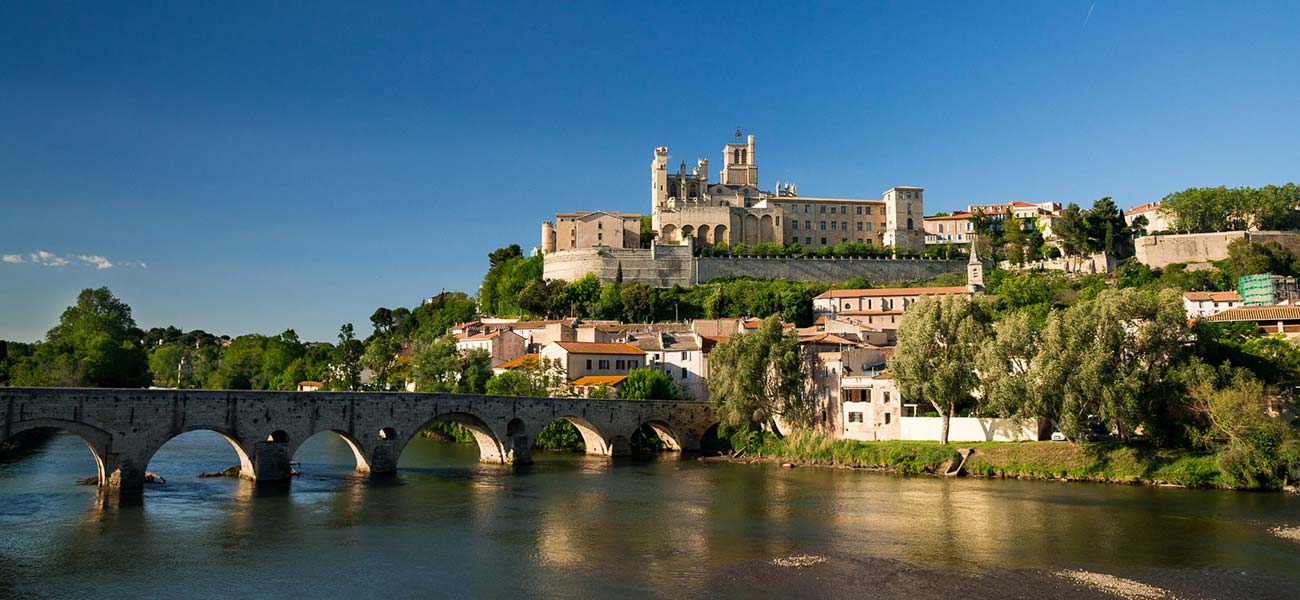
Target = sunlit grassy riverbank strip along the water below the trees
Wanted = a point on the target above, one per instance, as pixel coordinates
(1106, 463)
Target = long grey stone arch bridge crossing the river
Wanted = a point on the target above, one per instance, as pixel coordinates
(125, 428)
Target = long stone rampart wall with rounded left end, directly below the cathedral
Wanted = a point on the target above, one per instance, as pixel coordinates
(670, 266)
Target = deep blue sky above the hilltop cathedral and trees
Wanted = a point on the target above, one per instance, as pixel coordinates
(248, 169)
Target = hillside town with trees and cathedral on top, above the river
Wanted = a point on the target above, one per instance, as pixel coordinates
(664, 306)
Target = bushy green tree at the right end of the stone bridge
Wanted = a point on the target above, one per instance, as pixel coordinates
(757, 377)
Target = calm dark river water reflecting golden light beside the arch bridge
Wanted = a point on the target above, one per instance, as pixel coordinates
(573, 527)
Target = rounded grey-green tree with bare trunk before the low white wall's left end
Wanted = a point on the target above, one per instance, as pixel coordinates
(935, 356)
